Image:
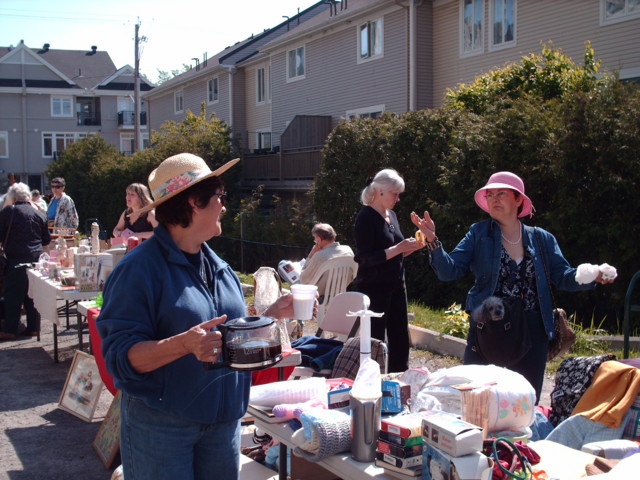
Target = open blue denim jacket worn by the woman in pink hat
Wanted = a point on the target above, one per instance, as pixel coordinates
(479, 252)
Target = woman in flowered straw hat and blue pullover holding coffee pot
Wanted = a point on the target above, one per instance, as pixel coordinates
(161, 305)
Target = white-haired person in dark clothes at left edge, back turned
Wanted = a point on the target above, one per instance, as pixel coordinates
(23, 231)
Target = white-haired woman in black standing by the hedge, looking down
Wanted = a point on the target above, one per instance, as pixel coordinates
(381, 249)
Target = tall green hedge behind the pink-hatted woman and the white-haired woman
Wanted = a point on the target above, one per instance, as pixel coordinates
(573, 137)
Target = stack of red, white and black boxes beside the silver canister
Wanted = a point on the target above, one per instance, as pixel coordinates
(399, 449)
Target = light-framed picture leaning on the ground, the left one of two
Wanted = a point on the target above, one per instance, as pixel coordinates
(83, 387)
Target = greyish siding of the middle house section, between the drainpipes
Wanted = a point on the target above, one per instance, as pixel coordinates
(334, 82)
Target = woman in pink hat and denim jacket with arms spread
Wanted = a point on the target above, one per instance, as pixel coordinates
(504, 255)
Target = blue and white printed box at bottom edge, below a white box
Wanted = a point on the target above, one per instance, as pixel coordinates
(437, 465)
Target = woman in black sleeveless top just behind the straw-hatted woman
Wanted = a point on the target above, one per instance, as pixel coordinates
(131, 222)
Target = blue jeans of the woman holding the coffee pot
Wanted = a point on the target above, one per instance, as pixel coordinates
(157, 446)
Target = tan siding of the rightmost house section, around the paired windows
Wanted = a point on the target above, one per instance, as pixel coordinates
(567, 24)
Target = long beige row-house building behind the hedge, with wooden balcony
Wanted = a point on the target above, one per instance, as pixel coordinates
(283, 92)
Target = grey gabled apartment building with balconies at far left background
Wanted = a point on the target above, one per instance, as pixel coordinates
(50, 98)
